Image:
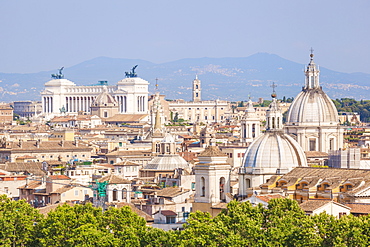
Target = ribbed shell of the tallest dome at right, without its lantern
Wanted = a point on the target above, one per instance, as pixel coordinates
(312, 106)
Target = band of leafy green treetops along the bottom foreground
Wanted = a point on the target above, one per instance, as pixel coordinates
(282, 223)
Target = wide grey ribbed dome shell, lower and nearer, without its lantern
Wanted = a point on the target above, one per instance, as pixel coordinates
(274, 152)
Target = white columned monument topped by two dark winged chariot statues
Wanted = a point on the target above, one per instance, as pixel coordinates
(131, 94)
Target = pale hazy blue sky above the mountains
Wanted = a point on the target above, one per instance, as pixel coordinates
(45, 34)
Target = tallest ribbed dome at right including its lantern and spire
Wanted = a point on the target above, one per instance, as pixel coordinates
(312, 105)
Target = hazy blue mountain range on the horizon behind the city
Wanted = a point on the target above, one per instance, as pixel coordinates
(223, 78)
